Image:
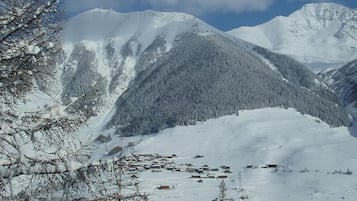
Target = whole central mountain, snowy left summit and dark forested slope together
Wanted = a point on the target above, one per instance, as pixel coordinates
(146, 71)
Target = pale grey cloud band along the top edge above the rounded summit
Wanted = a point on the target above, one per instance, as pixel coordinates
(196, 7)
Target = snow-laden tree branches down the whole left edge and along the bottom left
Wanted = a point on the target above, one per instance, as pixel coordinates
(39, 149)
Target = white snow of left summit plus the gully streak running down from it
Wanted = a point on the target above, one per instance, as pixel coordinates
(97, 28)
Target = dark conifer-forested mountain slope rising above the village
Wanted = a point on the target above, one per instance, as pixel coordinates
(207, 76)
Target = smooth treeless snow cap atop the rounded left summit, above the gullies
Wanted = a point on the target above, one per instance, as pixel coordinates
(98, 26)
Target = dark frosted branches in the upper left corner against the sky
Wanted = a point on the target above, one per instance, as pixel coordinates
(29, 43)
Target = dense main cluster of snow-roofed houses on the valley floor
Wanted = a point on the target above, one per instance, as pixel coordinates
(157, 163)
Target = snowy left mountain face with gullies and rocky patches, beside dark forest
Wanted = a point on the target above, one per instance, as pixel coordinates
(104, 50)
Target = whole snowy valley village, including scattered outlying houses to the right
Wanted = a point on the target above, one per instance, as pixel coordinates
(138, 164)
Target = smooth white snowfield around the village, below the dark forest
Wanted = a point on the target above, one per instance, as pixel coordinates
(257, 137)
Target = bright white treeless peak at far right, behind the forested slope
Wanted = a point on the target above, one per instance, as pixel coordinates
(320, 35)
